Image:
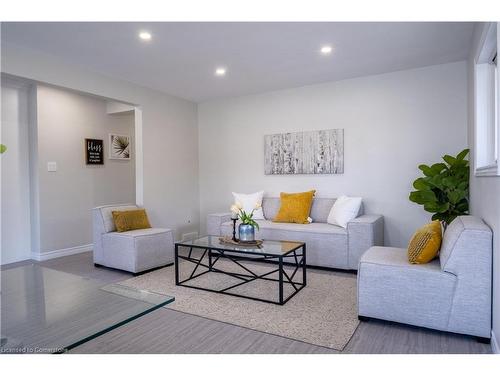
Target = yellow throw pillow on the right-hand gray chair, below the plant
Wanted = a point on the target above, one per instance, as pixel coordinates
(425, 243)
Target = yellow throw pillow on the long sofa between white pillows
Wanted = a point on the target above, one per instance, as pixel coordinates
(295, 207)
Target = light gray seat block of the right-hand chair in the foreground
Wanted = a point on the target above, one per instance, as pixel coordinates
(391, 288)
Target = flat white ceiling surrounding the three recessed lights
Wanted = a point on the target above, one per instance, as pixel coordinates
(181, 57)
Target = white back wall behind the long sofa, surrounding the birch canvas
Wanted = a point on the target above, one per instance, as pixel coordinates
(393, 122)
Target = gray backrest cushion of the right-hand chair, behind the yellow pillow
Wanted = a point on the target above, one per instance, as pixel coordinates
(466, 241)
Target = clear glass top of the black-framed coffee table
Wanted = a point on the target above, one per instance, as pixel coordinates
(267, 247)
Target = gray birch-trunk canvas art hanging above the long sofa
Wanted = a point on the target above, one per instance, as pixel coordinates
(312, 152)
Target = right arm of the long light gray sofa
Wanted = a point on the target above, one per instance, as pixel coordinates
(364, 232)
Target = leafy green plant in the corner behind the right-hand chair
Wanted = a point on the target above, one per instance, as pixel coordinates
(444, 188)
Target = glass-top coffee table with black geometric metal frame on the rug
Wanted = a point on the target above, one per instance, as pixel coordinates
(274, 272)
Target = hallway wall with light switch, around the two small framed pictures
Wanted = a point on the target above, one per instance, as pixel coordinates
(65, 118)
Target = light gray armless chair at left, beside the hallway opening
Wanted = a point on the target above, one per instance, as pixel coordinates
(134, 251)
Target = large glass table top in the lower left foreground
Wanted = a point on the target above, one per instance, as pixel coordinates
(47, 311)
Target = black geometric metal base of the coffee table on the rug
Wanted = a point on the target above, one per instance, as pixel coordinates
(207, 262)
